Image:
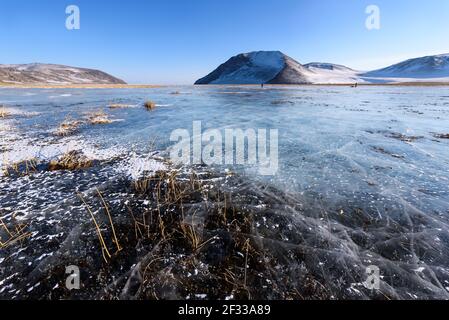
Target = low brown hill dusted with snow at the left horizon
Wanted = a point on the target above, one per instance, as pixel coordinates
(37, 73)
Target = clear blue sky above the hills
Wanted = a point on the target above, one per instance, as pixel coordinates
(179, 41)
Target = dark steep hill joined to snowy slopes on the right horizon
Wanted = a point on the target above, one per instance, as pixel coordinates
(274, 67)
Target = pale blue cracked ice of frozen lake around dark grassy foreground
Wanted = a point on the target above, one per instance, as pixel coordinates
(367, 169)
